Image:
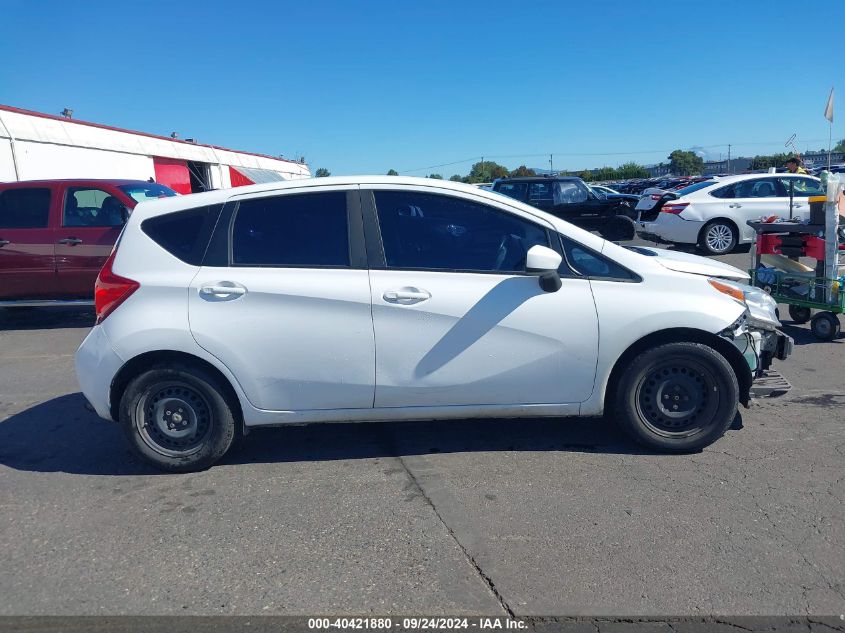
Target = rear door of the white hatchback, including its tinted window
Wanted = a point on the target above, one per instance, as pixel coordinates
(288, 312)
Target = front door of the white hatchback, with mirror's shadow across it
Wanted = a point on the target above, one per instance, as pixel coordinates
(458, 321)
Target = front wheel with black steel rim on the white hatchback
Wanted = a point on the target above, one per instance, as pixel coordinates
(691, 376)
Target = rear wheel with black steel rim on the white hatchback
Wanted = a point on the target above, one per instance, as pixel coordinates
(160, 400)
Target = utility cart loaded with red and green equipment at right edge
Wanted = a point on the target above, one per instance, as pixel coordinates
(775, 267)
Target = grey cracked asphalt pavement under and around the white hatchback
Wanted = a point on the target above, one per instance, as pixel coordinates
(524, 517)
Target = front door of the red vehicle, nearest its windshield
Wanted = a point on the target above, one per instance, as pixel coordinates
(91, 220)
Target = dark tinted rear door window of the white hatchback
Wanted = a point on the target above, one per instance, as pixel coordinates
(295, 230)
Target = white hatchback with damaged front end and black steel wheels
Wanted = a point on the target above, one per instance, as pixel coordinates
(388, 298)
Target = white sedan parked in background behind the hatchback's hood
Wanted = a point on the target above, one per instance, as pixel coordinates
(713, 213)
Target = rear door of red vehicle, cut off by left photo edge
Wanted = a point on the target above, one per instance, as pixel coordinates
(27, 256)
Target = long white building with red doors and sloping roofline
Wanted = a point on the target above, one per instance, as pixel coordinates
(35, 146)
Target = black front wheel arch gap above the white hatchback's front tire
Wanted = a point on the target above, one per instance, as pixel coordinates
(682, 335)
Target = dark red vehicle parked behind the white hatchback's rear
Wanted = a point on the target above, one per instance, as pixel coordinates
(55, 235)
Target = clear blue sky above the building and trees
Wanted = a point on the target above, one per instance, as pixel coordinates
(363, 87)
